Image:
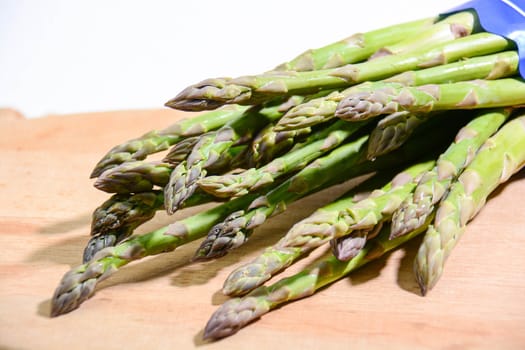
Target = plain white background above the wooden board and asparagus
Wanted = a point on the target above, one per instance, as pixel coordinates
(65, 57)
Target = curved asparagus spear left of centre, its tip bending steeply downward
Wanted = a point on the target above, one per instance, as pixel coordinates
(183, 180)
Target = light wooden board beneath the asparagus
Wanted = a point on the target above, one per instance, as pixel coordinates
(163, 302)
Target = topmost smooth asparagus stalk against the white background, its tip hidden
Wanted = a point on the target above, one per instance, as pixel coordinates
(355, 48)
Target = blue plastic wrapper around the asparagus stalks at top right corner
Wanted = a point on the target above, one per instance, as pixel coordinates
(501, 17)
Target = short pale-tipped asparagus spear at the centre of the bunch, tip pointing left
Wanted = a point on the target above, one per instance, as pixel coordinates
(233, 185)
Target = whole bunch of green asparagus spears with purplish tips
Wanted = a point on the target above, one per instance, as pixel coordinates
(428, 111)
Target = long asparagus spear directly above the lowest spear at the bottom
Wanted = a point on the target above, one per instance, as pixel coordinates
(352, 212)
